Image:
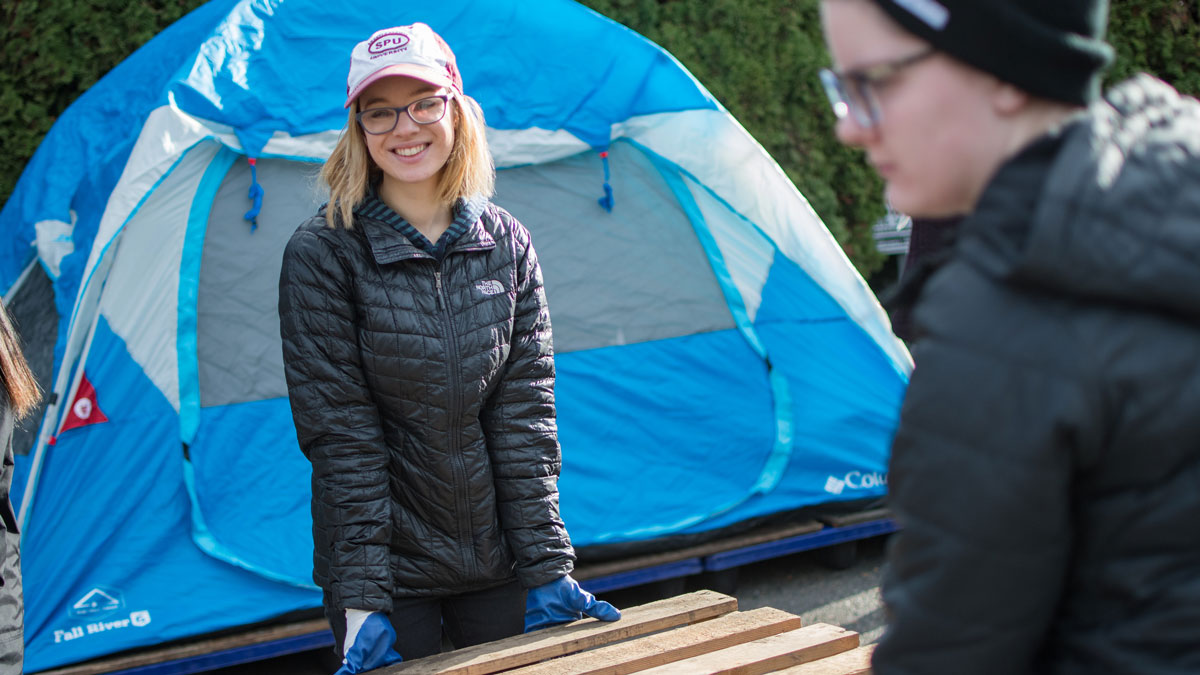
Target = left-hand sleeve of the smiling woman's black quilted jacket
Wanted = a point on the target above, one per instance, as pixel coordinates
(338, 425)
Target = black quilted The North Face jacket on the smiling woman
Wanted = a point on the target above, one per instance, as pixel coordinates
(423, 395)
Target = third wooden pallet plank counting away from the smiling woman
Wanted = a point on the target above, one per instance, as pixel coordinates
(767, 655)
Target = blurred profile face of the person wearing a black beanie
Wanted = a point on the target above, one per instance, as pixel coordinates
(940, 136)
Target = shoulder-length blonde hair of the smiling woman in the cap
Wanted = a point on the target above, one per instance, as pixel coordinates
(467, 174)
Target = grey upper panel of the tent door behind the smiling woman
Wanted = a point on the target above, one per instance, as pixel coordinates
(633, 276)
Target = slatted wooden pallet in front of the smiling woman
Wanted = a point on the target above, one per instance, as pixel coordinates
(693, 635)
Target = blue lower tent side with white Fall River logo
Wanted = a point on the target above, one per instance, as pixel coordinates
(79, 547)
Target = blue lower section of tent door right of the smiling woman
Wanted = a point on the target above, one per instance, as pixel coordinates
(662, 452)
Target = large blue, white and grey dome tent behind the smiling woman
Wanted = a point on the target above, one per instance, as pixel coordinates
(719, 359)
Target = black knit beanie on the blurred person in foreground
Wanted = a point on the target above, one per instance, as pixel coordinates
(1049, 49)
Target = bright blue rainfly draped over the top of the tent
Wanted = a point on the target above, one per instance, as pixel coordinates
(242, 75)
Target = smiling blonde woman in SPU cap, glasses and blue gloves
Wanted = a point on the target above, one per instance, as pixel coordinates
(419, 365)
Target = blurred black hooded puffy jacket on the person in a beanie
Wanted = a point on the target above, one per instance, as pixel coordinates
(1047, 468)
